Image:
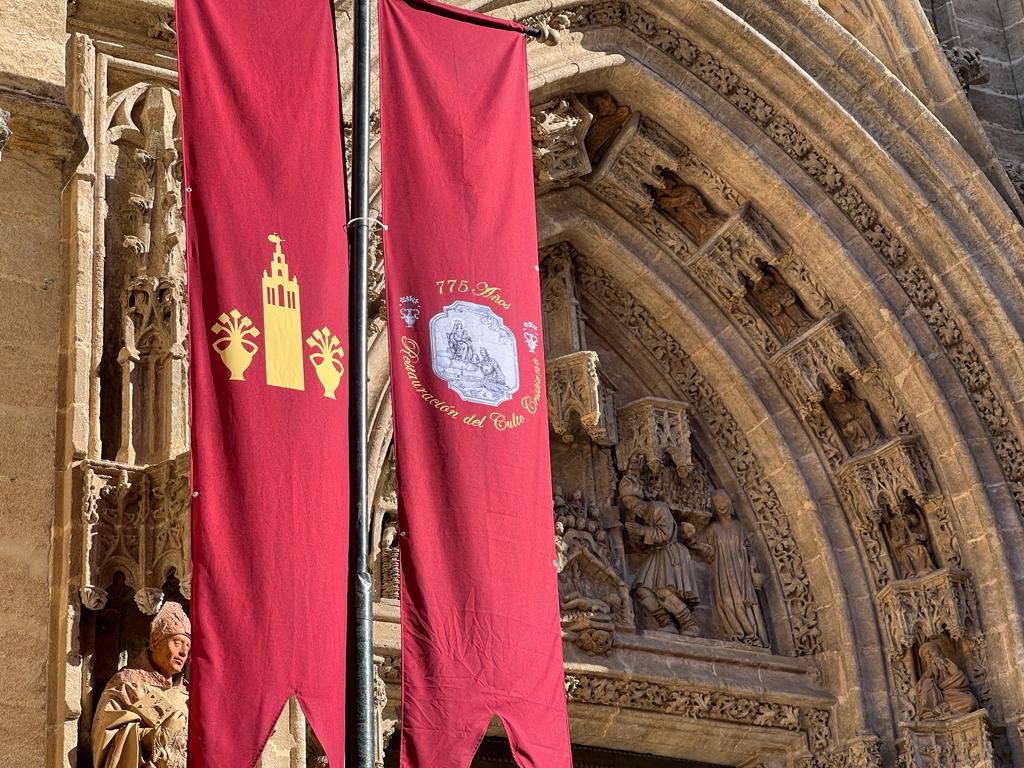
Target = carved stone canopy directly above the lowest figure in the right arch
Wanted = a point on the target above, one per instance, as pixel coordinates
(924, 608)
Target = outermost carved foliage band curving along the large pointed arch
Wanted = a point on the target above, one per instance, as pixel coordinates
(910, 271)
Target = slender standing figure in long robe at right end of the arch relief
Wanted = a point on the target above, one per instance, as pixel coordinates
(735, 577)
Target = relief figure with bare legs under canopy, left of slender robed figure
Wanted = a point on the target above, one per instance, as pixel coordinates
(665, 585)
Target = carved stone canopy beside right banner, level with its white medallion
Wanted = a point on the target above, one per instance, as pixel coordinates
(576, 389)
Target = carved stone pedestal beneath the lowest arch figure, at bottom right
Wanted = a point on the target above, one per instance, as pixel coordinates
(965, 742)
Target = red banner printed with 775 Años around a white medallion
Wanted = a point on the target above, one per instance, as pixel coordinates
(480, 607)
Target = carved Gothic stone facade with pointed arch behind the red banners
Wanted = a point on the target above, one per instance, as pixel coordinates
(781, 265)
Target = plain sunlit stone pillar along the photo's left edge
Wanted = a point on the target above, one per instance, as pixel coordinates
(40, 146)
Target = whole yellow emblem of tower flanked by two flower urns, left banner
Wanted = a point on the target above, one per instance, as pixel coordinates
(282, 335)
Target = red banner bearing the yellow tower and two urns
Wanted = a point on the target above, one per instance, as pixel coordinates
(264, 155)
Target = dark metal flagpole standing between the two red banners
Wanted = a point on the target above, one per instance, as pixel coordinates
(362, 738)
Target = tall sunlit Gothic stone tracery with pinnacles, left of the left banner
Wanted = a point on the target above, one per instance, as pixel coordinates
(146, 303)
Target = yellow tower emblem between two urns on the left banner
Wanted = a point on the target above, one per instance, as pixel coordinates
(282, 323)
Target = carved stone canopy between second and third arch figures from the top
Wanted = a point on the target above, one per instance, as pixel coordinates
(730, 263)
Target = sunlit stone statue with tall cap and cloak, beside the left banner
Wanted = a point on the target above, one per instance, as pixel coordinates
(143, 717)
